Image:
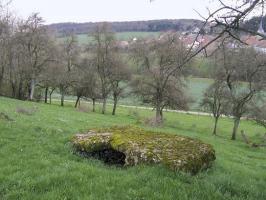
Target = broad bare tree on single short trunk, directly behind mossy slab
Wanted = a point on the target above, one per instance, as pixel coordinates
(160, 78)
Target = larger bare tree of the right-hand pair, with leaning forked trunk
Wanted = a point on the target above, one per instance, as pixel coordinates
(243, 71)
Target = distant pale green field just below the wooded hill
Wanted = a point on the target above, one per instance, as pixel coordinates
(83, 39)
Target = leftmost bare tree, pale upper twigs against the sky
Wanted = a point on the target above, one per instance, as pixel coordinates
(14, 60)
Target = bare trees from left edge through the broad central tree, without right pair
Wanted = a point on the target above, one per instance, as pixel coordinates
(32, 58)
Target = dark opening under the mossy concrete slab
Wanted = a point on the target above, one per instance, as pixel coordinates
(108, 156)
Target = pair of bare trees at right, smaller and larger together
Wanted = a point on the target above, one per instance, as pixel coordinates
(239, 83)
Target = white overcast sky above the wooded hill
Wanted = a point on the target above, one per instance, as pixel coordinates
(54, 11)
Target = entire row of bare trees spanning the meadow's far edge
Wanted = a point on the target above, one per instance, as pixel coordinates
(31, 58)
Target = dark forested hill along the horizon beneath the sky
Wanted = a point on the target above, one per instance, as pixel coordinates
(132, 26)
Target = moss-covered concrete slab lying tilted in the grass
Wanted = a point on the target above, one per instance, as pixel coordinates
(141, 146)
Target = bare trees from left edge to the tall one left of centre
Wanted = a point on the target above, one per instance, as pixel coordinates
(32, 58)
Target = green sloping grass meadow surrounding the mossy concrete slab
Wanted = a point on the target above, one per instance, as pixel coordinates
(36, 159)
